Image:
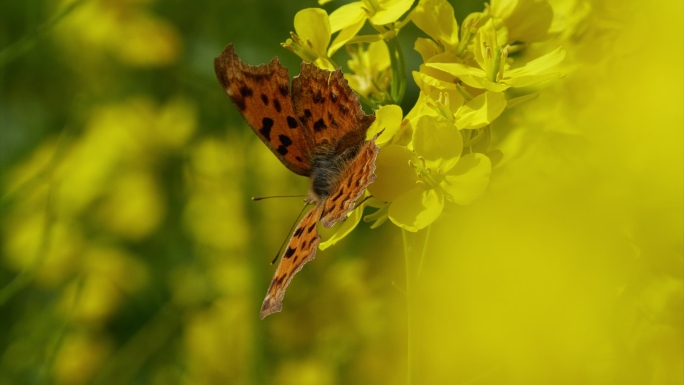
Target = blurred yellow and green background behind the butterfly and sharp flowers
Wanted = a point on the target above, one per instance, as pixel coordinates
(132, 254)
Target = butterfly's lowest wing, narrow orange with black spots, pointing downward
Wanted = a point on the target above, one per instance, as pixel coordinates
(300, 250)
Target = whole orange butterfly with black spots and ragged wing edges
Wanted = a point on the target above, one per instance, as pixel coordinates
(317, 129)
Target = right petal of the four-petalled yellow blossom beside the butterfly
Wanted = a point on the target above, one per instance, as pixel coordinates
(468, 180)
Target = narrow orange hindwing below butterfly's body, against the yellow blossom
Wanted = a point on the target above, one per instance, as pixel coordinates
(353, 180)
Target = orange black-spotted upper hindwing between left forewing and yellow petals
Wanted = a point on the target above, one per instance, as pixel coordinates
(325, 103)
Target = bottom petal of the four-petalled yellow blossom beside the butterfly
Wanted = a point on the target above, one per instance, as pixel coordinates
(417, 208)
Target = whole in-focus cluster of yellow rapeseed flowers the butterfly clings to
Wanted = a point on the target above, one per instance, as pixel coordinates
(438, 154)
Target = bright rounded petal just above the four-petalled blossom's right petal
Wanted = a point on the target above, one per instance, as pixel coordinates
(481, 111)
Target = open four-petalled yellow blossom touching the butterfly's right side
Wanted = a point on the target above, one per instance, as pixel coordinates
(418, 183)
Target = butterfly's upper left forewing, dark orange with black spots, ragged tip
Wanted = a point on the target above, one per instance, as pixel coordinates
(262, 95)
